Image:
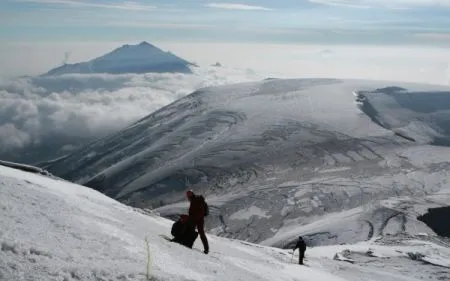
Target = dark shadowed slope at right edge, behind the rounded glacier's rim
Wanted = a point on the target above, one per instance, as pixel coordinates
(421, 116)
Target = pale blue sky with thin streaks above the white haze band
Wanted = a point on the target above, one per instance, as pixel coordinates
(281, 21)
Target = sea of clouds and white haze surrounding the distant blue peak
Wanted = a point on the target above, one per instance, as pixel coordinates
(54, 115)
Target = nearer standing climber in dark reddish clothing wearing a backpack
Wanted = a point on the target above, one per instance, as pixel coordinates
(197, 212)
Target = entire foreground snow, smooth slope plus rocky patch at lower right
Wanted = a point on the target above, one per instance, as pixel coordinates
(54, 230)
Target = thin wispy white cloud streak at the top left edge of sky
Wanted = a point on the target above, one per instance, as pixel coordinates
(126, 5)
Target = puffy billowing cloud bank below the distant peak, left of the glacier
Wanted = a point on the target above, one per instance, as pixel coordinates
(71, 108)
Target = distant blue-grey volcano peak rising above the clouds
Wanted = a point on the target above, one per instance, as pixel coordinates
(141, 58)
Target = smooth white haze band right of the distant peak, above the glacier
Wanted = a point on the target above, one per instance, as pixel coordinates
(393, 63)
